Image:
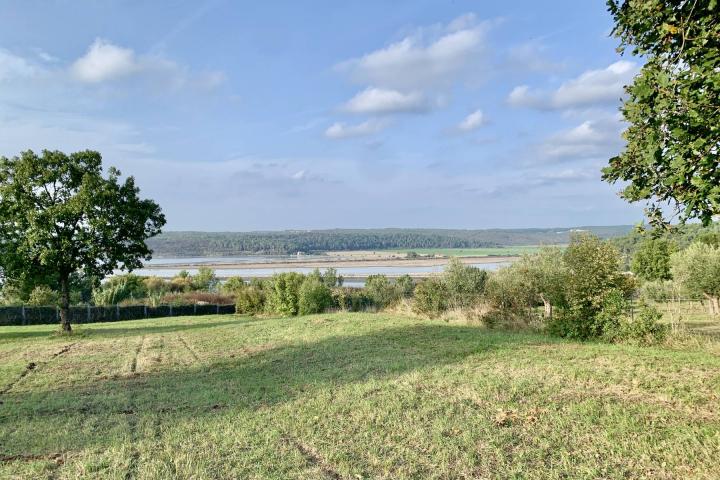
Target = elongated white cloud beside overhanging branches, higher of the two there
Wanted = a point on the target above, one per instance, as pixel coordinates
(590, 88)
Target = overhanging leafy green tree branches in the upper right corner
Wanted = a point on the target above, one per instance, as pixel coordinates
(673, 108)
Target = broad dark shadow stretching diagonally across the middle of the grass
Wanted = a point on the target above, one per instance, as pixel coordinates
(260, 378)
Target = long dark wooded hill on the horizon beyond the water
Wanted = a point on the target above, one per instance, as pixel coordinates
(203, 244)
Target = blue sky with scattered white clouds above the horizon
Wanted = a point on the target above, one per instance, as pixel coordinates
(285, 115)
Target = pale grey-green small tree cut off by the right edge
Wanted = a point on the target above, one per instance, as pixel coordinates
(697, 270)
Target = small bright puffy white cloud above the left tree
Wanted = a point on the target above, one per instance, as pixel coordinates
(105, 61)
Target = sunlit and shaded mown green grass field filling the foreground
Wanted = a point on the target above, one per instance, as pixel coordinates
(349, 396)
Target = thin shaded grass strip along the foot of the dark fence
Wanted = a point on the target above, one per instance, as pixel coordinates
(126, 328)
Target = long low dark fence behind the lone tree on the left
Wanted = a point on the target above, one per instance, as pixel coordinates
(26, 315)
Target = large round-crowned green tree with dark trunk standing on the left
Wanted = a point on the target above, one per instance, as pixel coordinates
(59, 216)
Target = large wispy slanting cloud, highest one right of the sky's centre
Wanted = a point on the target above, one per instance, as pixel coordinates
(424, 59)
